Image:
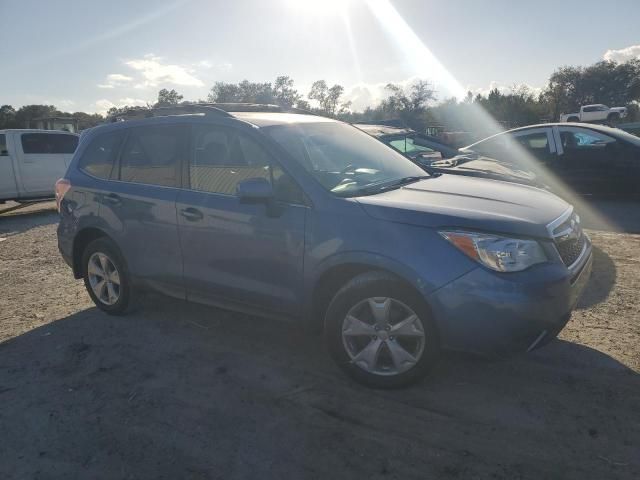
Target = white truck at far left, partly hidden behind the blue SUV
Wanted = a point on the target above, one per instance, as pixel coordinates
(31, 161)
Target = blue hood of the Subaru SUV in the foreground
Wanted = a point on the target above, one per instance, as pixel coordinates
(455, 201)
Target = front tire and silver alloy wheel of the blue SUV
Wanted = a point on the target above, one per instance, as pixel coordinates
(388, 367)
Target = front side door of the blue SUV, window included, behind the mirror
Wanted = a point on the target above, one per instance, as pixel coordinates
(240, 253)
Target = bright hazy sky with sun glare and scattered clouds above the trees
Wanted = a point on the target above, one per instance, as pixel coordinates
(90, 55)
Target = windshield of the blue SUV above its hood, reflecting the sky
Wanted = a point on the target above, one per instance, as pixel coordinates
(346, 161)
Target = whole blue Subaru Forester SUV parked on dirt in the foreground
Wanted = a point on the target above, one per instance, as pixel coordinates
(292, 215)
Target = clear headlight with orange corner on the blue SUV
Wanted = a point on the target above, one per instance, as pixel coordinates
(502, 254)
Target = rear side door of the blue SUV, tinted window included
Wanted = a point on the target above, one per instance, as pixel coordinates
(139, 204)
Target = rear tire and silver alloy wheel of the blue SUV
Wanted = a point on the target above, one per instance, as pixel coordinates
(120, 284)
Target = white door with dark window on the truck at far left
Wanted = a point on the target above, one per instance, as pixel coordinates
(43, 158)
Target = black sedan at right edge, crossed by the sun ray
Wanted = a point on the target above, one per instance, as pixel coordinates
(589, 159)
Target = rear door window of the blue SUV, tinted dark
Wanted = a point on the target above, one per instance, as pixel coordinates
(153, 155)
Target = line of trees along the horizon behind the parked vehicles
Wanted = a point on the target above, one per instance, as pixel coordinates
(415, 105)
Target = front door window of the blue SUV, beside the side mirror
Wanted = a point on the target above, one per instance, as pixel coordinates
(223, 157)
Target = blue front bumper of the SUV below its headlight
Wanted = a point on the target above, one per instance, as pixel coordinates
(491, 313)
